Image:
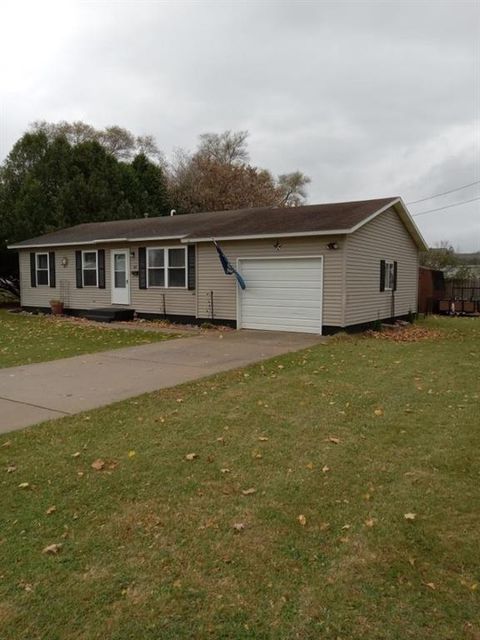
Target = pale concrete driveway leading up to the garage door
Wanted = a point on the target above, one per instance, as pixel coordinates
(37, 392)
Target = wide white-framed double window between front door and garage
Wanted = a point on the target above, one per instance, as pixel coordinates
(167, 267)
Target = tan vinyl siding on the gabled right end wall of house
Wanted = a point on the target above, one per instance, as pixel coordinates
(384, 238)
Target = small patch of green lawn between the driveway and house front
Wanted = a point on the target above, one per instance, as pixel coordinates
(25, 338)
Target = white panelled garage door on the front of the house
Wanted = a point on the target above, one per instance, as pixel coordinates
(282, 294)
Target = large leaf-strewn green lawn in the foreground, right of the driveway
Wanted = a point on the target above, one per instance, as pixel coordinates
(351, 435)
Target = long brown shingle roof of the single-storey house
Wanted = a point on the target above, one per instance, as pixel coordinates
(321, 218)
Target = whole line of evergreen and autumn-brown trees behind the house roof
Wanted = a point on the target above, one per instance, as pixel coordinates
(61, 174)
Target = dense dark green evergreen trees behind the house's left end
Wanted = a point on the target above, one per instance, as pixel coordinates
(47, 183)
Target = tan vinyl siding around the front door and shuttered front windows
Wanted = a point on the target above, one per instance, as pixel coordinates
(177, 301)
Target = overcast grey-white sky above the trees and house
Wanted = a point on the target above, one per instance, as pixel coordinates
(369, 99)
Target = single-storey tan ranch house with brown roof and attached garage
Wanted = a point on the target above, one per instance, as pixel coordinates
(315, 268)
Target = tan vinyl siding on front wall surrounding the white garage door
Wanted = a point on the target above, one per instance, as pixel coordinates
(210, 275)
